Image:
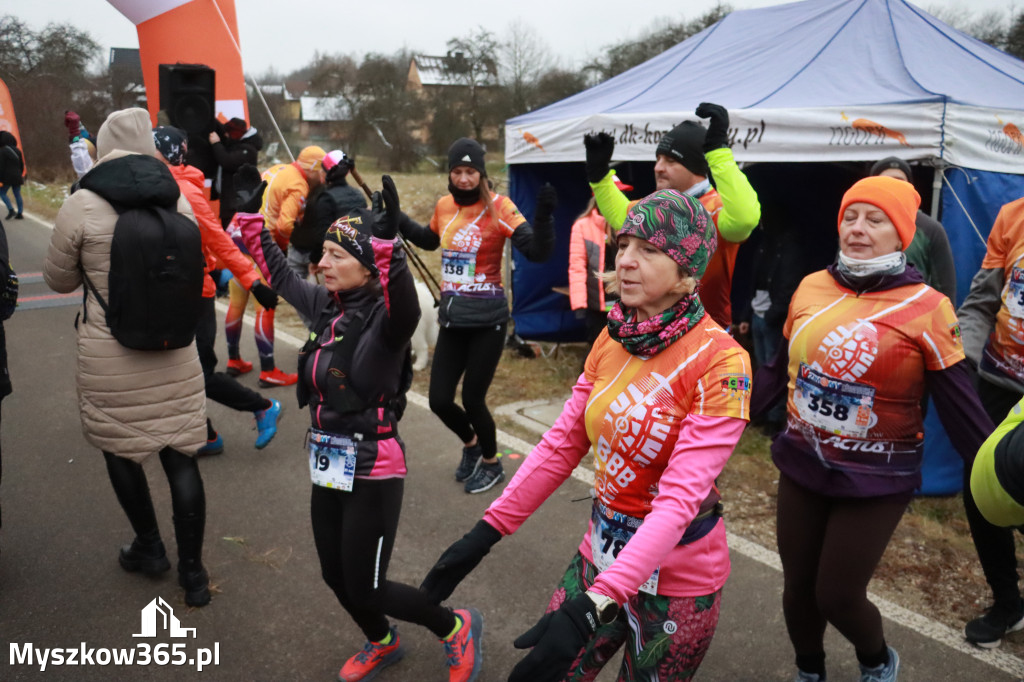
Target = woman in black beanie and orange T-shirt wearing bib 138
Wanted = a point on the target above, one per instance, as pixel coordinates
(472, 225)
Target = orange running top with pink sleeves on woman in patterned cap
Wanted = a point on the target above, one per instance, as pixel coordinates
(662, 431)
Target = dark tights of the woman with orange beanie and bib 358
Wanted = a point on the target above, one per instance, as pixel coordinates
(830, 548)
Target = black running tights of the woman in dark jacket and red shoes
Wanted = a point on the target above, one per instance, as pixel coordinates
(355, 534)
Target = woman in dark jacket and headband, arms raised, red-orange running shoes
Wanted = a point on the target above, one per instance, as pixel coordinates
(354, 374)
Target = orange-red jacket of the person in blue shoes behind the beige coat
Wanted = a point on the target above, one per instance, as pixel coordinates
(219, 248)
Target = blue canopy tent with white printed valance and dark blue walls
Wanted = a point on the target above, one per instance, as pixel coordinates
(836, 83)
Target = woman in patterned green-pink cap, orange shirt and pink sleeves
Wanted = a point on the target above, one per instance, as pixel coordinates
(662, 404)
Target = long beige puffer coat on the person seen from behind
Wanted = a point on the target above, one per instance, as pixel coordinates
(133, 403)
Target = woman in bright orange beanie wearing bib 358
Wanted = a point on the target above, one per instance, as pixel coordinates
(865, 338)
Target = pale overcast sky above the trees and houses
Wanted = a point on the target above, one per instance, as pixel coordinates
(285, 35)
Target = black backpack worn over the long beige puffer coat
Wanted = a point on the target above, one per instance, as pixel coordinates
(156, 279)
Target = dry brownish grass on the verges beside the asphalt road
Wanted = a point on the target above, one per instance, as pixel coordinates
(930, 566)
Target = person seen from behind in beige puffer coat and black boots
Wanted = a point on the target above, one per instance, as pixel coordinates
(134, 403)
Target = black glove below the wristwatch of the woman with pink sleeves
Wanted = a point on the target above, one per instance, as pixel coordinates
(557, 640)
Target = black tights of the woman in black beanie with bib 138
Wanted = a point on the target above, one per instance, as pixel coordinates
(472, 355)
